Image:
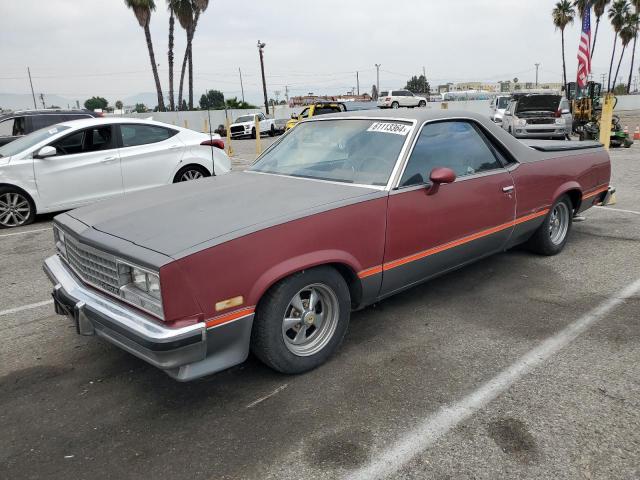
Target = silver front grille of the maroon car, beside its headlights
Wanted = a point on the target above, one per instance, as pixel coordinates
(93, 266)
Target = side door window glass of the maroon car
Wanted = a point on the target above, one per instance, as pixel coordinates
(455, 145)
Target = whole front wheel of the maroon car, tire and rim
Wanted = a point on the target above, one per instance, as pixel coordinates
(301, 321)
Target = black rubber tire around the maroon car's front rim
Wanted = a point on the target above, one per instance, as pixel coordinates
(268, 333)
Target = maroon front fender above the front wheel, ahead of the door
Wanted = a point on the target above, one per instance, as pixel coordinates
(352, 235)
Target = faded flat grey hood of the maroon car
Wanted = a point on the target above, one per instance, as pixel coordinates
(178, 219)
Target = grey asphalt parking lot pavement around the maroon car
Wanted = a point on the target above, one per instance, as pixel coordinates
(518, 366)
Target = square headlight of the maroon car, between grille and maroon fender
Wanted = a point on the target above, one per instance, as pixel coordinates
(140, 287)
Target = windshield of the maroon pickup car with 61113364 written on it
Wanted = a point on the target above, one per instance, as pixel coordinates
(344, 150)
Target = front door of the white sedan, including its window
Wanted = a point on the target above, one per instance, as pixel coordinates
(86, 168)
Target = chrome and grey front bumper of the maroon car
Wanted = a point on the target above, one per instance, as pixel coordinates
(184, 353)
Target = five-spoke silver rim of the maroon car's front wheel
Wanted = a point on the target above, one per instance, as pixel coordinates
(310, 320)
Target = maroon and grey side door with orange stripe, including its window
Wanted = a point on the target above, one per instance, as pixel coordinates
(431, 232)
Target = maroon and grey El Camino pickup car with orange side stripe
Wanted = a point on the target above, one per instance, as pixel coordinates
(341, 212)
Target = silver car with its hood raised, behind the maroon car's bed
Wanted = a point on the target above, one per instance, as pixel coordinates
(538, 116)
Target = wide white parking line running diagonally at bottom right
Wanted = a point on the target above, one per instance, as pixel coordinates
(432, 428)
